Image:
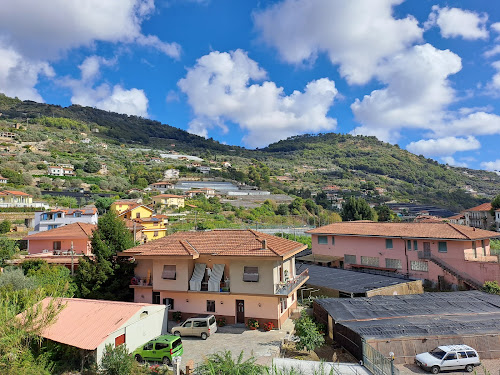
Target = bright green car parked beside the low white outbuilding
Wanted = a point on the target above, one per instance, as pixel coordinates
(161, 349)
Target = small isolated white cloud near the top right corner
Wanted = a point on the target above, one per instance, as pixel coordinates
(456, 22)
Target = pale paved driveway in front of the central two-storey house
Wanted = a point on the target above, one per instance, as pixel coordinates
(259, 344)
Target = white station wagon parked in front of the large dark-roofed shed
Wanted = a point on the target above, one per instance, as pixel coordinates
(448, 357)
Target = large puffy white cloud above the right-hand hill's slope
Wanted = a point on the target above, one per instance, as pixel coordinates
(416, 95)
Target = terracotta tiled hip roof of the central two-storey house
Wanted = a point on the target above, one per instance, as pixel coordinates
(219, 242)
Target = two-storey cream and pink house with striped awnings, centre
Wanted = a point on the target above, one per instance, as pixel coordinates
(234, 274)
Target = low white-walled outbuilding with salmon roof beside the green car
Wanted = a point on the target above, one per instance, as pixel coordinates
(90, 325)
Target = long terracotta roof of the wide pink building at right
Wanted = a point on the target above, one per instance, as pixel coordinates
(406, 230)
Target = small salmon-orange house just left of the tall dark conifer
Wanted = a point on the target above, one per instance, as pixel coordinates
(76, 237)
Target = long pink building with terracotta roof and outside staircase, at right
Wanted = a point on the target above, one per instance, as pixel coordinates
(439, 252)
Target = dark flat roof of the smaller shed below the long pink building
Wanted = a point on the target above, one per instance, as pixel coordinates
(348, 281)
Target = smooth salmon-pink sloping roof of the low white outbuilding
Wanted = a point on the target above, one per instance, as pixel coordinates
(86, 323)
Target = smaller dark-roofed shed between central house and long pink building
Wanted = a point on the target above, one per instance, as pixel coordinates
(336, 282)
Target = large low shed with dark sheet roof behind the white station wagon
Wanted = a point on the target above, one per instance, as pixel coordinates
(410, 324)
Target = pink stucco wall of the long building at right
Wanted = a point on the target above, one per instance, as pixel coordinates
(460, 255)
